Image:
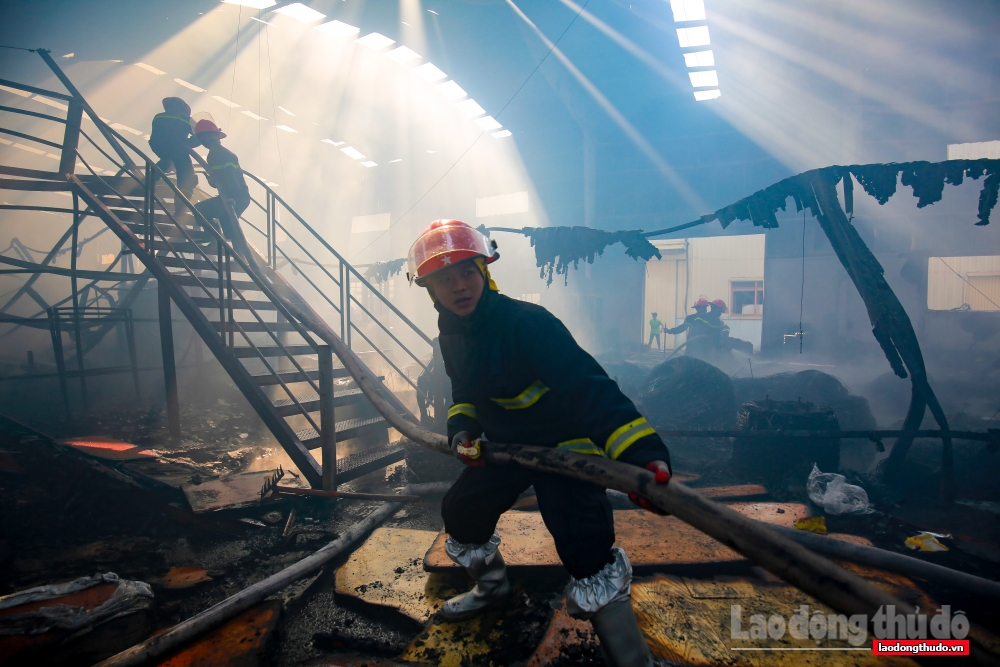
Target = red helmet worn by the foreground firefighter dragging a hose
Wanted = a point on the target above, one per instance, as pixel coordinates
(443, 244)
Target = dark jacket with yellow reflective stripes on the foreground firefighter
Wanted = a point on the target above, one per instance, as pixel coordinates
(518, 376)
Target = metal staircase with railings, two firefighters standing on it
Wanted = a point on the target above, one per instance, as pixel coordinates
(294, 382)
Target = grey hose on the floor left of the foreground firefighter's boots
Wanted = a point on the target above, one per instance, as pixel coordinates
(185, 631)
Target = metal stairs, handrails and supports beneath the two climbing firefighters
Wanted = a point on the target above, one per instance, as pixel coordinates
(186, 252)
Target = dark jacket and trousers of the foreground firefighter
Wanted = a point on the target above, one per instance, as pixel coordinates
(518, 376)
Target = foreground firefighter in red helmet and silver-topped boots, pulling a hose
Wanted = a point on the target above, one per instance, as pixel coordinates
(518, 376)
